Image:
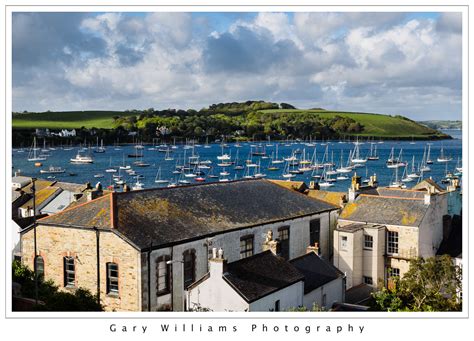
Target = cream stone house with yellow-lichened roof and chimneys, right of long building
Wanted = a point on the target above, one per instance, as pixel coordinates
(381, 230)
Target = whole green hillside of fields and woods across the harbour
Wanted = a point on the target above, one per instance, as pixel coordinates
(253, 119)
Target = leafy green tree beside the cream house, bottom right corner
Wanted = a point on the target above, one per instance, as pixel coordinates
(432, 284)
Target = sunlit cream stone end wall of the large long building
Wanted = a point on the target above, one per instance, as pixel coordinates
(54, 243)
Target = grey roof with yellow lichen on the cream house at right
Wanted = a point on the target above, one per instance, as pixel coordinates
(385, 210)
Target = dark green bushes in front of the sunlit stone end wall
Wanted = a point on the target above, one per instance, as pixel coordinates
(78, 300)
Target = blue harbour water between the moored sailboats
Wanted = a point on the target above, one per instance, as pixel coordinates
(85, 172)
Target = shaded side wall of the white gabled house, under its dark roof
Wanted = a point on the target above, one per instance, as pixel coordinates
(290, 297)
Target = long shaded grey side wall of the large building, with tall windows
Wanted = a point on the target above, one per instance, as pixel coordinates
(230, 243)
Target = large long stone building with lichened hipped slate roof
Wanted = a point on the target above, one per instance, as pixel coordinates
(145, 246)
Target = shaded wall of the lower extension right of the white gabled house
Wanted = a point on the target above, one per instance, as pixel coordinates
(334, 291)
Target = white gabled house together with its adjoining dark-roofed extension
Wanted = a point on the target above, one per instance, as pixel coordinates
(267, 282)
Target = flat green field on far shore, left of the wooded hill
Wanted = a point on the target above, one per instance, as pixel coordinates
(67, 119)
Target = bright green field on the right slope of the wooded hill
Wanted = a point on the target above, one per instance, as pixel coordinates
(376, 125)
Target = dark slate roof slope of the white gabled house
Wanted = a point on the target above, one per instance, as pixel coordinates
(260, 275)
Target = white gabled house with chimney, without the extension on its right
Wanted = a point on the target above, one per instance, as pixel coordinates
(262, 282)
